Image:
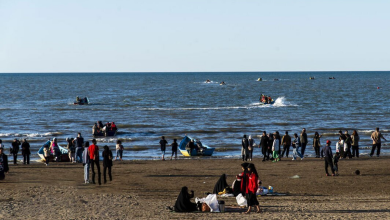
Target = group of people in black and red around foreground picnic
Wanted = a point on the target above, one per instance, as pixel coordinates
(246, 184)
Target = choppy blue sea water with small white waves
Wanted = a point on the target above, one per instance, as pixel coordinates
(146, 106)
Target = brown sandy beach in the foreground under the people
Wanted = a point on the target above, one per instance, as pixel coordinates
(143, 190)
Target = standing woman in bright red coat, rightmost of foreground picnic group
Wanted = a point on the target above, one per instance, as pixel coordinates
(252, 186)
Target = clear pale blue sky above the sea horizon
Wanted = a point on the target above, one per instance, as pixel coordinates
(194, 35)
